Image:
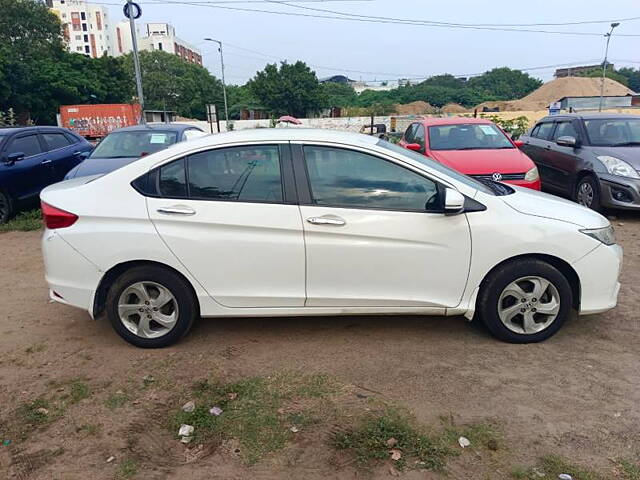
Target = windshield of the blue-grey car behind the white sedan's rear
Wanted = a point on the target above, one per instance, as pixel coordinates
(133, 144)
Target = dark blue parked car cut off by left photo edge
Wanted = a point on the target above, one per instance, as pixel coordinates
(32, 158)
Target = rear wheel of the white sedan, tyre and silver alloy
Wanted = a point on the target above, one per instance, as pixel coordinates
(138, 312)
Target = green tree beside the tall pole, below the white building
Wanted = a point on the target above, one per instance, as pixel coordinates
(171, 83)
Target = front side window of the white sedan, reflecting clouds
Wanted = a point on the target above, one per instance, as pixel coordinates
(351, 179)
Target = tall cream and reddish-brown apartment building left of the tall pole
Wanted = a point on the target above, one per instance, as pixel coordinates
(86, 27)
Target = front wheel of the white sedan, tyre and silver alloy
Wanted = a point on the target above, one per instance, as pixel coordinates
(535, 316)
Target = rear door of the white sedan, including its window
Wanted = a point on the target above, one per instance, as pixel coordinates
(231, 217)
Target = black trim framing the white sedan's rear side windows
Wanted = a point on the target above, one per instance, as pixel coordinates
(289, 194)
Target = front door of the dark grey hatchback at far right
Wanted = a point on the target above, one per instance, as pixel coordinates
(561, 161)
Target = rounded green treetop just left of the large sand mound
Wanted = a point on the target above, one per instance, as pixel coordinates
(504, 83)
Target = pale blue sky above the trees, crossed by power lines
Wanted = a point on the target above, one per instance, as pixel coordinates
(386, 51)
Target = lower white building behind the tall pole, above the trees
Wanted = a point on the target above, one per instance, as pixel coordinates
(157, 36)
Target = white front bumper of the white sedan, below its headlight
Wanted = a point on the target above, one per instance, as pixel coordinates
(599, 273)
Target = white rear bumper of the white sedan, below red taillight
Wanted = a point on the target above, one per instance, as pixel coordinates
(72, 279)
